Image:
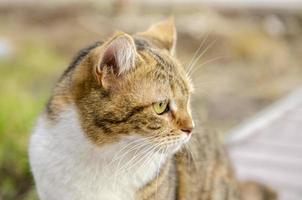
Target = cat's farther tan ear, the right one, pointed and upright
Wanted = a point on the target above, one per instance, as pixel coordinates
(163, 33)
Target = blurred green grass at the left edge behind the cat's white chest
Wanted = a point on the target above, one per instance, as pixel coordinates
(25, 81)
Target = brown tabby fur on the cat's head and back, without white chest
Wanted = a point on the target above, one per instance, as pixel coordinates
(111, 105)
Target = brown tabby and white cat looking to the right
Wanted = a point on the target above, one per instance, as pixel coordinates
(117, 126)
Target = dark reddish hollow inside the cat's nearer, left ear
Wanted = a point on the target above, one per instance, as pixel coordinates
(109, 59)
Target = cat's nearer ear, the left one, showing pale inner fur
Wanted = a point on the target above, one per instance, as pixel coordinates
(118, 58)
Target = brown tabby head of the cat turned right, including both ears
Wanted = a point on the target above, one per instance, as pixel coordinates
(133, 86)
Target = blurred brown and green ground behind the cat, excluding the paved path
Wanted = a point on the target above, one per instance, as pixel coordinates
(250, 57)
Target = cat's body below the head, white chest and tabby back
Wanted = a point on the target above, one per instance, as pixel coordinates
(76, 169)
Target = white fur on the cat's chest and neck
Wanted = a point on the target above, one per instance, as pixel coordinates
(67, 166)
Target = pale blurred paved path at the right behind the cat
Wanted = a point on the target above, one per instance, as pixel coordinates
(268, 148)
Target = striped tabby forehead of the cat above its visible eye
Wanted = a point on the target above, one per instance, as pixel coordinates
(159, 76)
